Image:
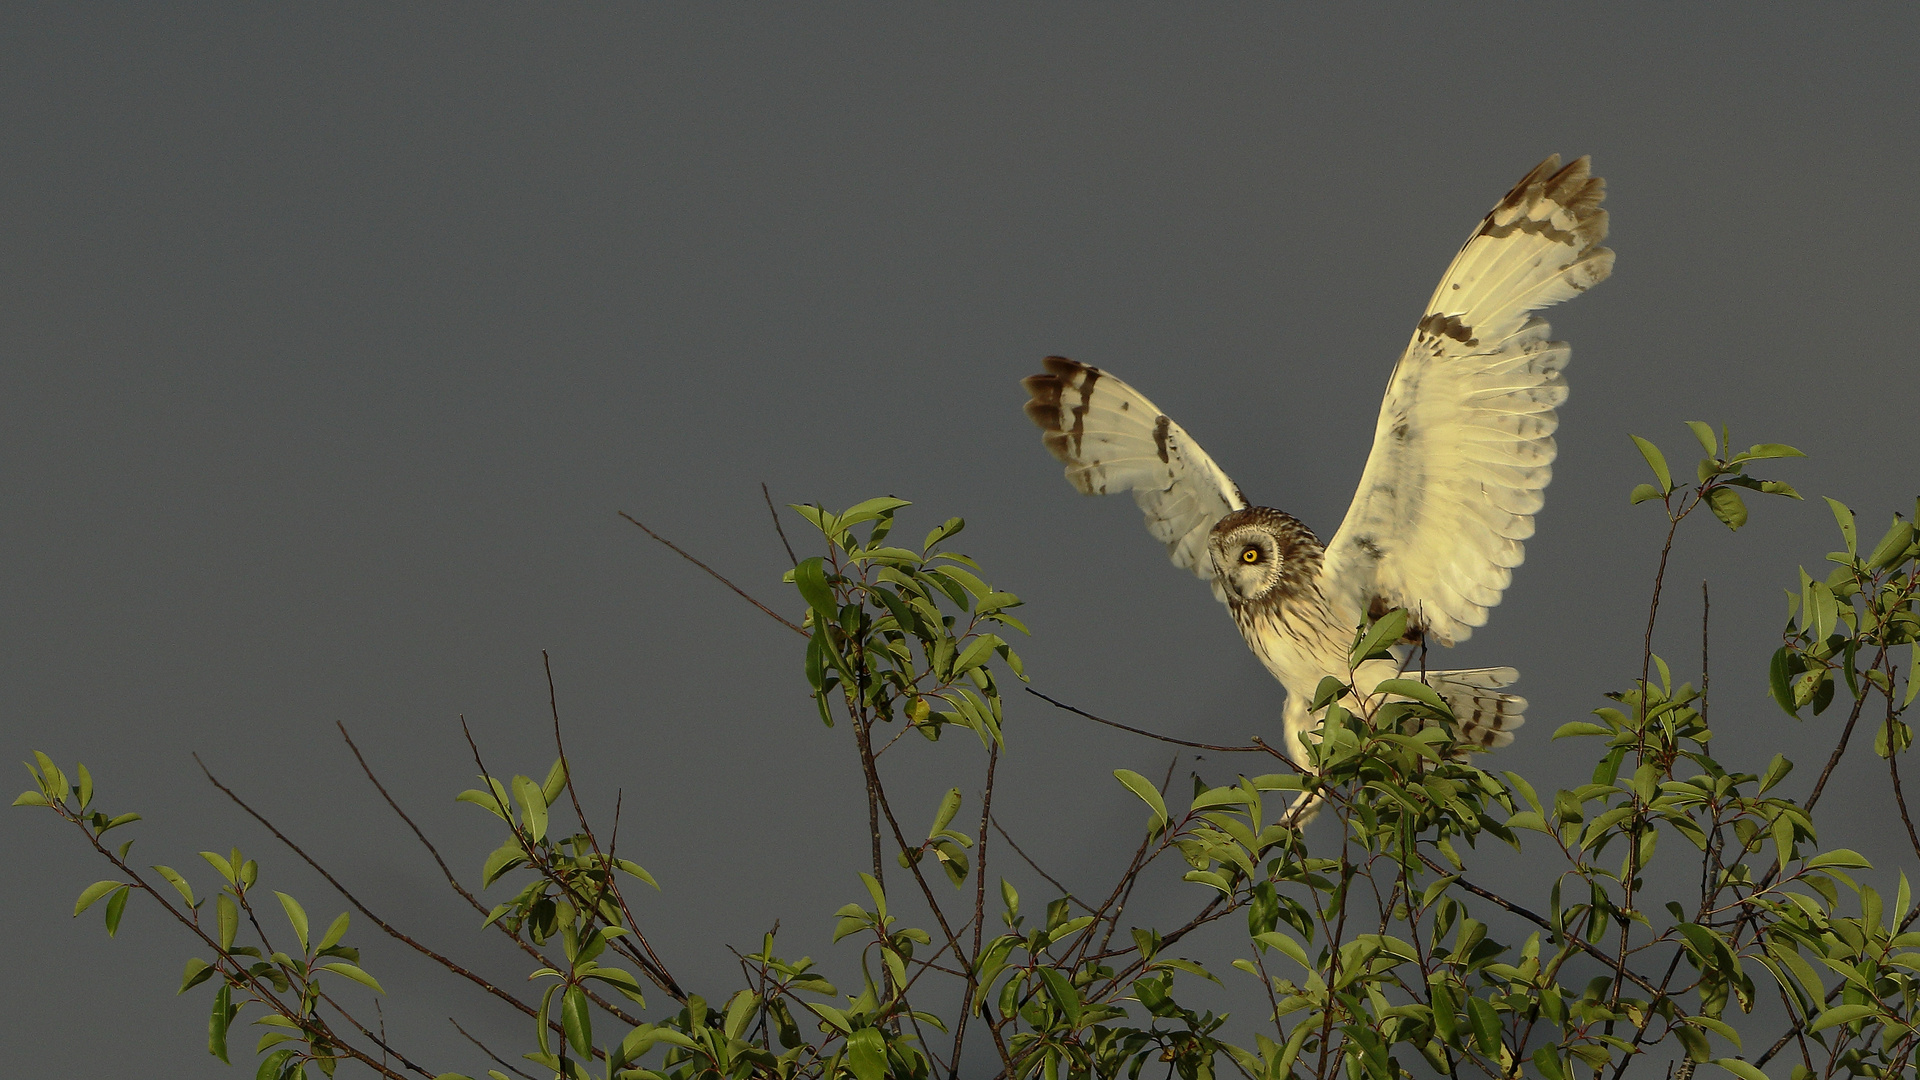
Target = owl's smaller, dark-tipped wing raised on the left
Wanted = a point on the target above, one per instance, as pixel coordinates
(1115, 441)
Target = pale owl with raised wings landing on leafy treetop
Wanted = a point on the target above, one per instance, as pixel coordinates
(1462, 456)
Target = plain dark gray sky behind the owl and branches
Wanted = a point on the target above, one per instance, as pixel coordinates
(337, 337)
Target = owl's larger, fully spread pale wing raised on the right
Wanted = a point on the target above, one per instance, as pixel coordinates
(1466, 439)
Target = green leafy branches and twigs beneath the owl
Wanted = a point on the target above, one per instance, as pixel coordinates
(1366, 945)
